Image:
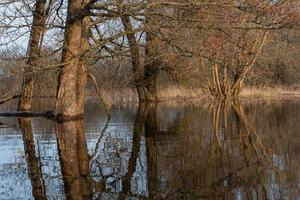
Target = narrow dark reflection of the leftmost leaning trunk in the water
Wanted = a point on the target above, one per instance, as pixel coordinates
(33, 167)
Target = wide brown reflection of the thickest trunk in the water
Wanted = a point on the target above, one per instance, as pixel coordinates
(74, 160)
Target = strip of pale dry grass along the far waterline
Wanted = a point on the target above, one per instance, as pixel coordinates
(183, 94)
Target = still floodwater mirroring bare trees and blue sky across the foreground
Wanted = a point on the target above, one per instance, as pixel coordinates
(168, 151)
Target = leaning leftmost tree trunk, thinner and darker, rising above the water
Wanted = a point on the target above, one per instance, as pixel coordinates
(38, 25)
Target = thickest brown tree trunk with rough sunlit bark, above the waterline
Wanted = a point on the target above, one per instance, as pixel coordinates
(74, 72)
